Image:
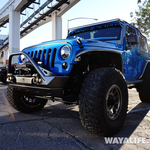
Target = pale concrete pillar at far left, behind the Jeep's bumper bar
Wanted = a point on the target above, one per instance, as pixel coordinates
(14, 30)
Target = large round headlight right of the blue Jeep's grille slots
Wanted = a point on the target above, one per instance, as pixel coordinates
(65, 51)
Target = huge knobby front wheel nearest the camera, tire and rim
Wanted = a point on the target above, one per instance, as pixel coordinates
(96, 100)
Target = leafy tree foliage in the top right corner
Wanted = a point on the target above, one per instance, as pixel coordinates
(141, 17)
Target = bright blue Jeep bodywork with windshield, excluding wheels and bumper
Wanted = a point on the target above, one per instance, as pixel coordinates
(108, 41)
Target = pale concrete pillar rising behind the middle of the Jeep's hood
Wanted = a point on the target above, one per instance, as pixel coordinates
(56, 26)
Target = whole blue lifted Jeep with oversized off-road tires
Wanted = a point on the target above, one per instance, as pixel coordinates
(92, 67)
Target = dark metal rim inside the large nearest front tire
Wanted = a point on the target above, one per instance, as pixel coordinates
(113, 102)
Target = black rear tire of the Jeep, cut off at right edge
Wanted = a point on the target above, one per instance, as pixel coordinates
(144, 87)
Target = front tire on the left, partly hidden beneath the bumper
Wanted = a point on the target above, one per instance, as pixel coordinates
(24, 102)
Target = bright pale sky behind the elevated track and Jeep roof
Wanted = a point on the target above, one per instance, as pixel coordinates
(100, 9)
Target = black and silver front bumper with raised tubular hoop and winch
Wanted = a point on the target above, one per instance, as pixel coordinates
(40, 83)
